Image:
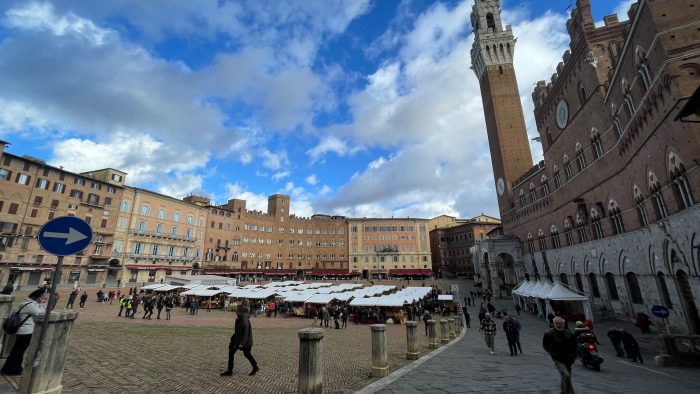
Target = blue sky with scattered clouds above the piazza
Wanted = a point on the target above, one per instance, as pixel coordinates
(358, 108)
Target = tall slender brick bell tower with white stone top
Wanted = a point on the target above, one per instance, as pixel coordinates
(492, 62)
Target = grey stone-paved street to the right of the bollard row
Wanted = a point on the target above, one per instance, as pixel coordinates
(466, 366)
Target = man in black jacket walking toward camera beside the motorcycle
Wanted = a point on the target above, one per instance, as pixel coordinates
(561, 345)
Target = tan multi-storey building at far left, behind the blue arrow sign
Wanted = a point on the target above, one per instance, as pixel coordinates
(32, 193)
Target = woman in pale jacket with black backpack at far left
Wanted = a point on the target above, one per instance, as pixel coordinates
(26, 311)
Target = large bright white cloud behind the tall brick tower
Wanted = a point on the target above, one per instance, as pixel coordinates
(424, 107)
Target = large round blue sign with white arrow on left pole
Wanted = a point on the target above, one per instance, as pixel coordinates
(65, 235)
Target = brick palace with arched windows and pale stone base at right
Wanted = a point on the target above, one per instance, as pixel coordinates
(612, 209)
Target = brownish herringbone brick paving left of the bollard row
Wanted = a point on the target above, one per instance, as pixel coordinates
(108, 354)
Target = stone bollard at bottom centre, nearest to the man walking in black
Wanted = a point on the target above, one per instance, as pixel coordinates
(310, 361)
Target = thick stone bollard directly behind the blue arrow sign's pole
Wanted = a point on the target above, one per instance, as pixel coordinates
(49, 373)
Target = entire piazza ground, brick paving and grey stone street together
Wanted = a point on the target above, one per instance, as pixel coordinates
(185, 355)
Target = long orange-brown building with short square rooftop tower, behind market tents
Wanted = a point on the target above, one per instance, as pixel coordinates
(274, 243)
